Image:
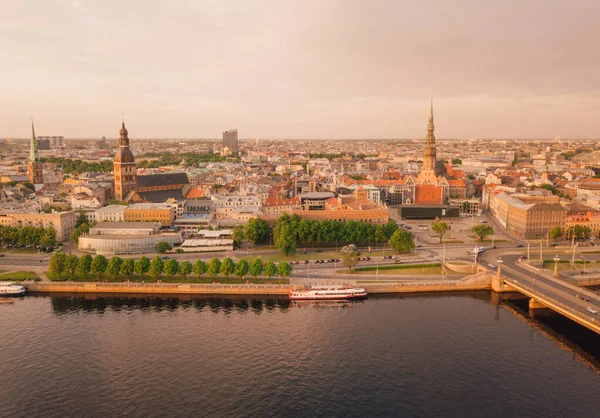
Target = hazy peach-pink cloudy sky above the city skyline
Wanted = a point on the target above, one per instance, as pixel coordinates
(300, 68)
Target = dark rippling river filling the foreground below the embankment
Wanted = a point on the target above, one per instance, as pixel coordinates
(420, 355)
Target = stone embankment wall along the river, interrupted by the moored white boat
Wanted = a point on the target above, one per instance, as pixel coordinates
(480, 281)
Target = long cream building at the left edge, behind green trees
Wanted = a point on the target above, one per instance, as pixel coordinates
(62, 222)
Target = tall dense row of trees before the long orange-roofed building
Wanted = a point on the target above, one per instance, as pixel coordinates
(289, 231)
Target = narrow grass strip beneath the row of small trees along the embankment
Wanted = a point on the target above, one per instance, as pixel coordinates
(165, 279)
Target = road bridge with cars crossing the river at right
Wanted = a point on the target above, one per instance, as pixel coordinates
(546, 291)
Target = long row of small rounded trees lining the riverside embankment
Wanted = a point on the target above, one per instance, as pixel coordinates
(116, 266)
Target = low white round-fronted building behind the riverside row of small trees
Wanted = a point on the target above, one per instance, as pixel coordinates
(115, 238)
